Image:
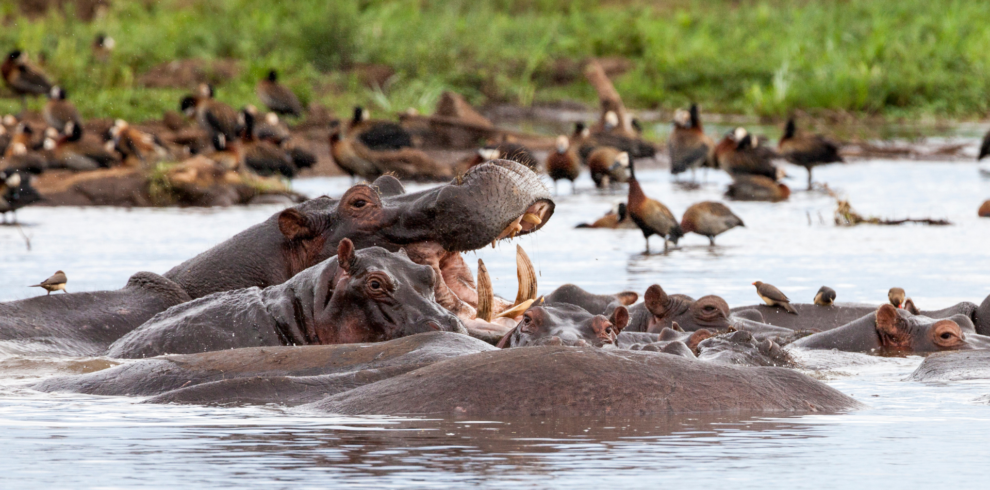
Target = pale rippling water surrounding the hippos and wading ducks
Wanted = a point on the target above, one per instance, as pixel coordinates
(913, 435)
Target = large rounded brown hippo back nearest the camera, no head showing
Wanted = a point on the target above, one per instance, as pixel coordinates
(585, 381)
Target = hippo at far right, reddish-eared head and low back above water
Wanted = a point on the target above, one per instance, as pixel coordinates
(891, 330)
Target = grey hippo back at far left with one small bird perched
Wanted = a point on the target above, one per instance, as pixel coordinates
(85, 324)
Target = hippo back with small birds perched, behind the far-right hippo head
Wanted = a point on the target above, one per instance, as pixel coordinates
(822, 318)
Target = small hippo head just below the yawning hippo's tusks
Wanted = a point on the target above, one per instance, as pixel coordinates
(568, 325)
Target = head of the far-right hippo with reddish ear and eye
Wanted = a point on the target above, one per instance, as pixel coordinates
(901, 332)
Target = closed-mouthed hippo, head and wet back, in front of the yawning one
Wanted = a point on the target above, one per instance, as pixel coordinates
(370, 295)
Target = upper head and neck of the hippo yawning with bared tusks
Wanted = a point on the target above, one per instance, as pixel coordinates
(493, 201)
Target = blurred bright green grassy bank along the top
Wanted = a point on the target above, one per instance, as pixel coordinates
(906, 58)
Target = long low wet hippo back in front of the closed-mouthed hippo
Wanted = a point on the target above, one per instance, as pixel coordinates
(262, 375)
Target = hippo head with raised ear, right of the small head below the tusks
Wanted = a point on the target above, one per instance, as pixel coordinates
(711, 312)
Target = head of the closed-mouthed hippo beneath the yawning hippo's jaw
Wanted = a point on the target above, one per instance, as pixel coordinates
(375, 295)
